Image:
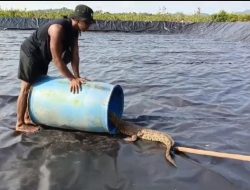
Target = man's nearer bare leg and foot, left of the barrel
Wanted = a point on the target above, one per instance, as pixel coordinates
(21, 109)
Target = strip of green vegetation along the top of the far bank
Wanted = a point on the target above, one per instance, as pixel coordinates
(222, 16)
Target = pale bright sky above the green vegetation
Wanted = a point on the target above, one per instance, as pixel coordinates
(186, 7)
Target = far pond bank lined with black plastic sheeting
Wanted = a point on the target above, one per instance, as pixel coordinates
(238, 31)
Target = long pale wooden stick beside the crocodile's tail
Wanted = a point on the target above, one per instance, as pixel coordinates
(213, 153)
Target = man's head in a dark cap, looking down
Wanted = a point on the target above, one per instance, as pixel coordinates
(84, 15)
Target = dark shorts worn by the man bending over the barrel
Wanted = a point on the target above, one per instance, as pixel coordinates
(31, 65)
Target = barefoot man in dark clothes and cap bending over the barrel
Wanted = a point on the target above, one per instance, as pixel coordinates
(55, 40)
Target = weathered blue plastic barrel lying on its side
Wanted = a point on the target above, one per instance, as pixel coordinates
(52, 104)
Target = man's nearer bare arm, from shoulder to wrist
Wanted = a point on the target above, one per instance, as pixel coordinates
(56, 37)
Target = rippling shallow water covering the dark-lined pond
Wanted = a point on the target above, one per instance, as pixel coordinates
(195, 89)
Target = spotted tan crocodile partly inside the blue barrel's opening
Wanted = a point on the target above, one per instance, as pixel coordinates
(134, 132)
